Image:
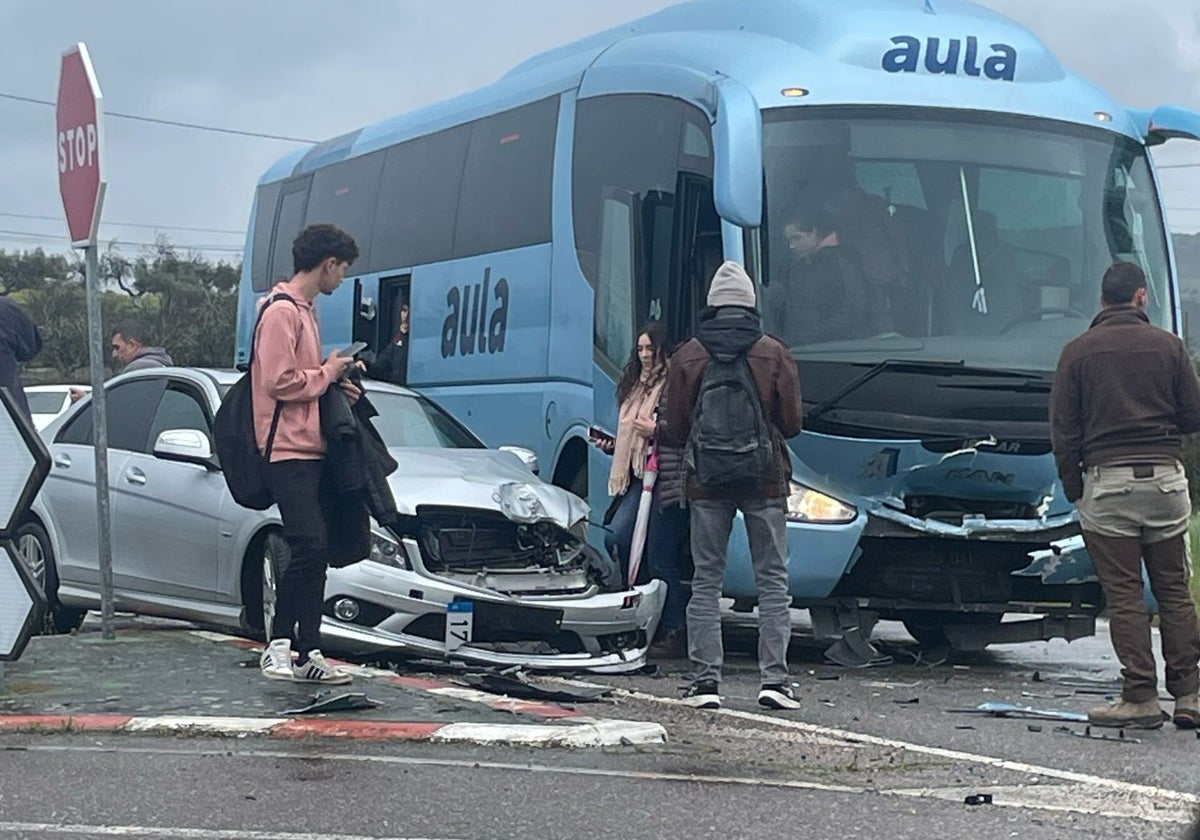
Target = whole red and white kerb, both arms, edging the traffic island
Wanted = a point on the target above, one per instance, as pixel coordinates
(568, 730)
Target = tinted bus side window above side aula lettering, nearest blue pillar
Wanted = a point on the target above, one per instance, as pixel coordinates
(507, 185)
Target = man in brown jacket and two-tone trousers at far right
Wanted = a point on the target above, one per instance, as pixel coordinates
(1124, 395)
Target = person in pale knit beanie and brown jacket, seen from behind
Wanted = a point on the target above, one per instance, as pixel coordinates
(730, 327)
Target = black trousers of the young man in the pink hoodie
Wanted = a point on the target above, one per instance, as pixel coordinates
(302, 491)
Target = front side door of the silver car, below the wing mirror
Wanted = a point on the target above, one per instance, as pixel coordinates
(166, 513)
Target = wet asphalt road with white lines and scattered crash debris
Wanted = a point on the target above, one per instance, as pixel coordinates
(874, 753)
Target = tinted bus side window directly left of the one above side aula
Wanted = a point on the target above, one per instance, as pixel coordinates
(419, 201)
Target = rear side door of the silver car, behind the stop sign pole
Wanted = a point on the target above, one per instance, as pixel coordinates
(70, 490)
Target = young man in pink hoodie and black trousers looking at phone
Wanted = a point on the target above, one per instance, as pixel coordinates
(289, 370)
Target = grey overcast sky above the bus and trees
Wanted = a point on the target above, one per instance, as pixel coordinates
(319, 69)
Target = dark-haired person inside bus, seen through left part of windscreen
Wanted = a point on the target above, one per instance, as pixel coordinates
(825, 296)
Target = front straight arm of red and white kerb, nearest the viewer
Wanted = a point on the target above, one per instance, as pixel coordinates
(584, 734)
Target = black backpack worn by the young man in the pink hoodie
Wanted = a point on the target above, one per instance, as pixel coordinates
(235, 440)
